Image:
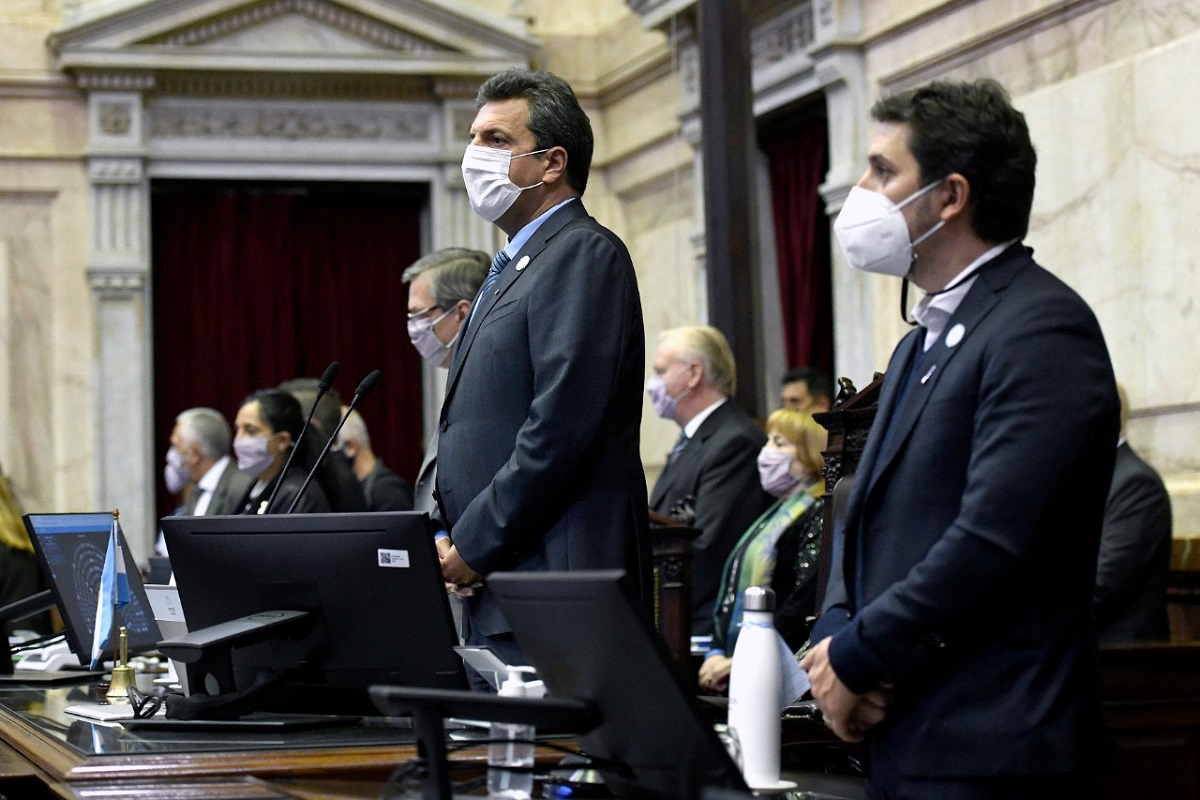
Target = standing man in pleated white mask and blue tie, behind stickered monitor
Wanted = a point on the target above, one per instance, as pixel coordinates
(538, 452)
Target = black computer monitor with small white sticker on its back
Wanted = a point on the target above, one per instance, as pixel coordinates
(371, 584)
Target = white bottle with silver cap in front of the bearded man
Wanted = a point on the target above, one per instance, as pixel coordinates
(755, 688)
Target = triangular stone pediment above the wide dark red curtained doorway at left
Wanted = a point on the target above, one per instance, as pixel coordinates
(365, 38)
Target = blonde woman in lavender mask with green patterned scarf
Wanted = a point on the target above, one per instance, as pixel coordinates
(781, 549)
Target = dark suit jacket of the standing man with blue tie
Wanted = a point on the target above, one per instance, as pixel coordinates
(538, 449)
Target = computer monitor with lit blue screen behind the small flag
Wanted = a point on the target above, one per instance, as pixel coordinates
(71, 550)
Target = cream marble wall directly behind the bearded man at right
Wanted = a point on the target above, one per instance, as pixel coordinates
(1108, 89)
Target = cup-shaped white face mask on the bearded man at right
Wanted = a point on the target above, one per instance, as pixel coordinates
(874, 234)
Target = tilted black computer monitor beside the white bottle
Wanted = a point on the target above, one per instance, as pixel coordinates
(589, 642)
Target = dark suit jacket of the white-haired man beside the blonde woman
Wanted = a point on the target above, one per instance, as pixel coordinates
(719, 468)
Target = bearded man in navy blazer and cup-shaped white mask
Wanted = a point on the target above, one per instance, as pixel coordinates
(958, 637)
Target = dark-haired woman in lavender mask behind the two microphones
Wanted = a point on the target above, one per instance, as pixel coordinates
(266, 430)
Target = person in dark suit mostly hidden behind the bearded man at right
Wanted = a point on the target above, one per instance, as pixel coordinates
(1136, 551)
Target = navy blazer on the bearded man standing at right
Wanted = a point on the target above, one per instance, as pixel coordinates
(971, 536)
